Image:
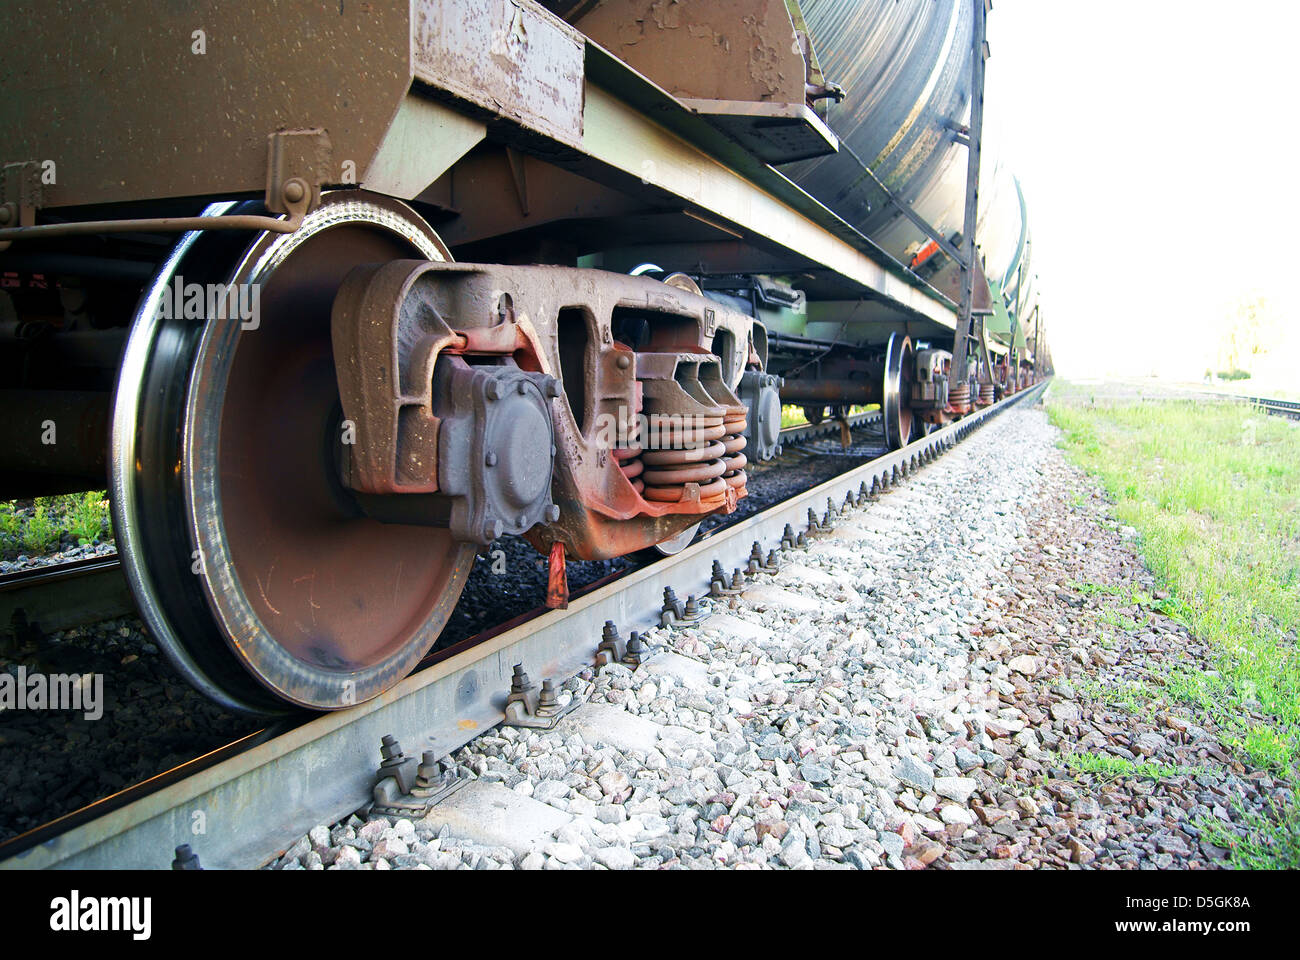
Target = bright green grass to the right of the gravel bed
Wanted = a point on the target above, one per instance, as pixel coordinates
(1214, 492)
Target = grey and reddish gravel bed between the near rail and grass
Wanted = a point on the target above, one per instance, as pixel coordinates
(900, 695)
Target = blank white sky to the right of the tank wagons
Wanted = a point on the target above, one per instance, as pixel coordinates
(1156, 146)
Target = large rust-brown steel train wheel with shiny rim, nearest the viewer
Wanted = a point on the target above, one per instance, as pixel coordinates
(257, 572)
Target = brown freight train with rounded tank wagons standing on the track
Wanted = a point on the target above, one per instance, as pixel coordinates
(337, 293)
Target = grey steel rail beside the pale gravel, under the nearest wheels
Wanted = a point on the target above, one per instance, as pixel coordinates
(250, 805)
